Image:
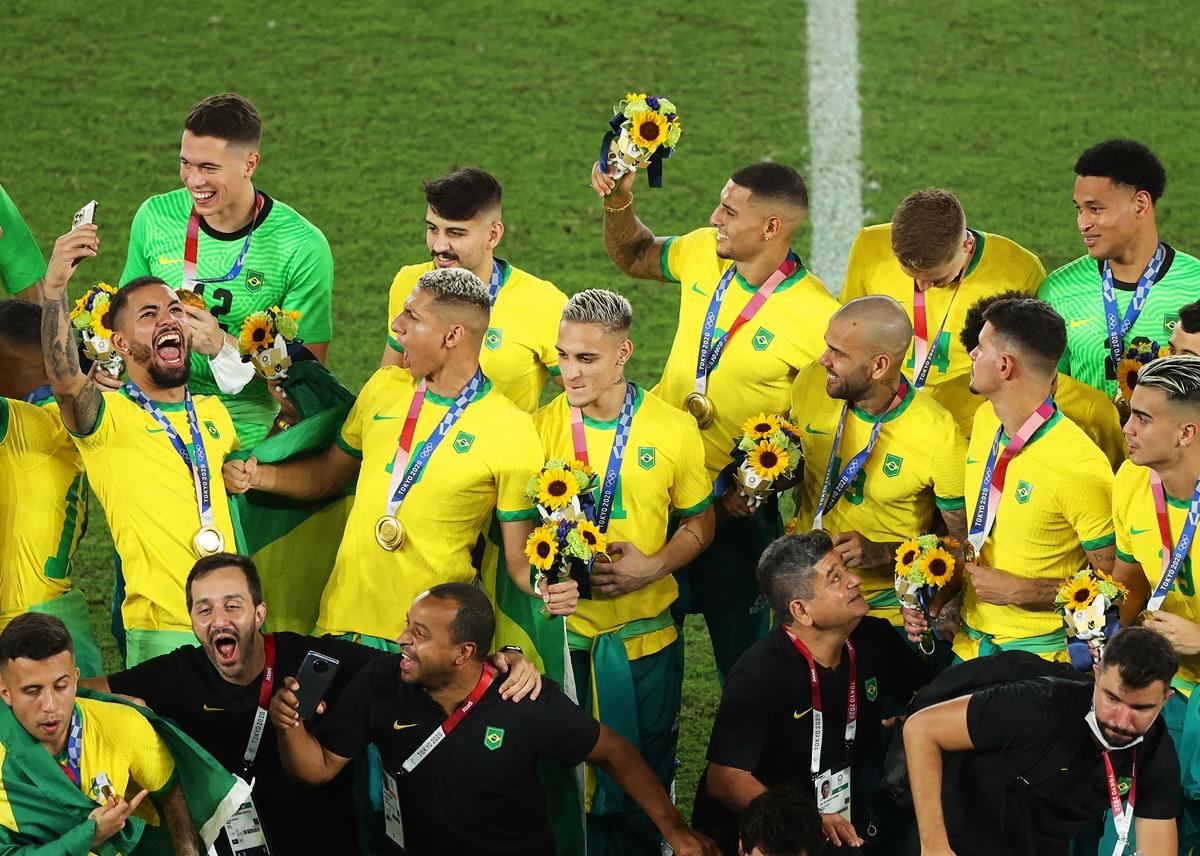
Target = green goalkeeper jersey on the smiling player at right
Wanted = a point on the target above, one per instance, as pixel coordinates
(1075, 292)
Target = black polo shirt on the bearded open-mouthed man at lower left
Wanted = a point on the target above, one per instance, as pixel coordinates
(184, 686)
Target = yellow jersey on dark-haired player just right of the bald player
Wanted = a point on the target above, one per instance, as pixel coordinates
(1057, 504)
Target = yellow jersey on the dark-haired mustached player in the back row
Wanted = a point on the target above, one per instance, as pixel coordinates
(520, 350)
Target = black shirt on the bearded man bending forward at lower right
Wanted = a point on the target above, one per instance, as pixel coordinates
(1017, 728)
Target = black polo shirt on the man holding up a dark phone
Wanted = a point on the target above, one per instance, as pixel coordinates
(477, 793)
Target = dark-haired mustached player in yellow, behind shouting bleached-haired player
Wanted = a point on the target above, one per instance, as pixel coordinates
(463, 229)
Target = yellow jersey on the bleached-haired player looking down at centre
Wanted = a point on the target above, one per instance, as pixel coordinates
(662, 474)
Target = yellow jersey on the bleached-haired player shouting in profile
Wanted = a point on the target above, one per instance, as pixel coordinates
(484, 463)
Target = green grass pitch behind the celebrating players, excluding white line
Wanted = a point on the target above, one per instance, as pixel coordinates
(362, 103)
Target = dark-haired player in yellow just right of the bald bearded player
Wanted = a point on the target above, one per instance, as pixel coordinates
(1047, 511)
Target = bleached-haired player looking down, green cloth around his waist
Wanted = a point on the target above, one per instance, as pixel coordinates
(626, 650)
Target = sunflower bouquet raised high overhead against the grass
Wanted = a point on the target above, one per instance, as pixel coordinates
(644, 131)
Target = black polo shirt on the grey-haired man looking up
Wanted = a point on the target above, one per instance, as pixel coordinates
(765, 721)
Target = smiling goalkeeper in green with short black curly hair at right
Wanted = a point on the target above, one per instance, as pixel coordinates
(1131, 283)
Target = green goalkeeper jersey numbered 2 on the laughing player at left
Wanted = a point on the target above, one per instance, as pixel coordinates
(289, 265)
